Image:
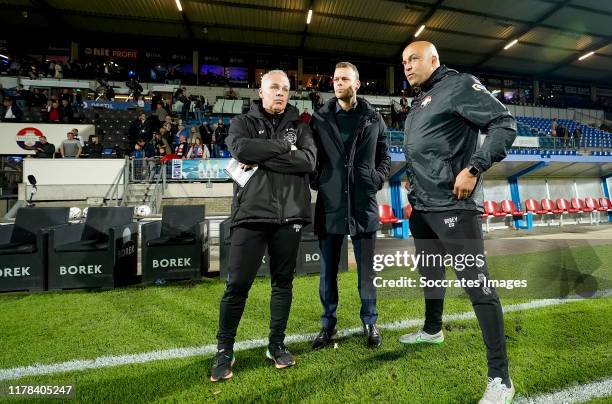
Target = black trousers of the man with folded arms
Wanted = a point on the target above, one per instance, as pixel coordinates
(248, 246)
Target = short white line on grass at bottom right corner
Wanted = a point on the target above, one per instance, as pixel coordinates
(577, 394)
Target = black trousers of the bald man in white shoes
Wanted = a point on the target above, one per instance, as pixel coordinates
(459, 232)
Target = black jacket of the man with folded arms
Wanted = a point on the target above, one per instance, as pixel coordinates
(279, 190)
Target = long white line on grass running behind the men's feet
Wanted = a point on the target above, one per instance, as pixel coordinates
(177, 353)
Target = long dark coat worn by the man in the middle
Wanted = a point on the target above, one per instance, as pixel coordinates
(347, 182)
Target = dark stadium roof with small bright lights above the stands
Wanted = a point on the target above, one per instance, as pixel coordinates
(551, 34)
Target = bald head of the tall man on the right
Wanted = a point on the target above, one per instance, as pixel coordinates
(420, 60)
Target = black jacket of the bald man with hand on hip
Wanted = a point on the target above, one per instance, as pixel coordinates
(441, 139)
